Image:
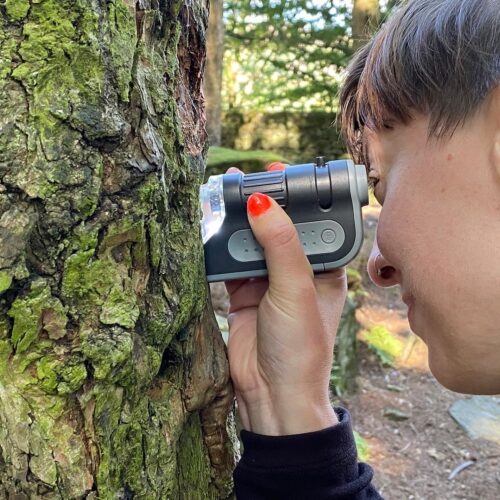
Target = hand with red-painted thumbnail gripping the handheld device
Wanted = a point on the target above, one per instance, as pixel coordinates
(282, 331)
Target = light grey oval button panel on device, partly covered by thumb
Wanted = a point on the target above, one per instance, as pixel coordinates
(319, 237)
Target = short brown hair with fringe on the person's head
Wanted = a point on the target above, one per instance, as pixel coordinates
(437, 57)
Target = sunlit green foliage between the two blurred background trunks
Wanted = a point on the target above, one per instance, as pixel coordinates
(296, 47)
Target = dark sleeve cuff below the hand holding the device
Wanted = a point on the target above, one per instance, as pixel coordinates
(317, 465)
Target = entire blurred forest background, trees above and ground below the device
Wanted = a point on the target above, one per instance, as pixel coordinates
(280, 64)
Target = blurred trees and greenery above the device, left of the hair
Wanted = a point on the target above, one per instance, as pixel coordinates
(273, 74)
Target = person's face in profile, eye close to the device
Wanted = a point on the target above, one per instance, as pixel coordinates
(439, 239)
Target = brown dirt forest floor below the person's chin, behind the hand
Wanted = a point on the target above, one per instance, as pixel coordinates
(412, 457)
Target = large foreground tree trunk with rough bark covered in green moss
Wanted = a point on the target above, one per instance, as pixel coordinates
(113, 375)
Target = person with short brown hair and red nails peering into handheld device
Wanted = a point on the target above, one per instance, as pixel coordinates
(421, 108)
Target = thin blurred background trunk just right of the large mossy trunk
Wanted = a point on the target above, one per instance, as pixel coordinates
(213, 72)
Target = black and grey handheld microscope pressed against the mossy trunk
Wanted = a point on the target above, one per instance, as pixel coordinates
(323, 199)
